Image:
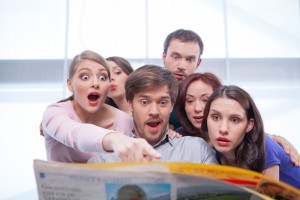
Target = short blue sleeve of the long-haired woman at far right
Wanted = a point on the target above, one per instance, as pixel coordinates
(272, 153)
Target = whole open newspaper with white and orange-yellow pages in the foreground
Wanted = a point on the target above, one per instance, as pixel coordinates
(154, 181)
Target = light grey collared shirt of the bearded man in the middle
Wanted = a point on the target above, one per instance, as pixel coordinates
(184, 149)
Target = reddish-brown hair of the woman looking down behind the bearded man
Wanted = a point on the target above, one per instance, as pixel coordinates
(179, 108)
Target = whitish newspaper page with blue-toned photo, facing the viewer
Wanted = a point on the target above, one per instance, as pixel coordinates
(62, 181)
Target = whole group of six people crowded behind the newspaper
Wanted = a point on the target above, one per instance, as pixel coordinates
(116, 113)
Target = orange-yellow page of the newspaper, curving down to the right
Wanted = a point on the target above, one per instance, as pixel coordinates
(237, 176)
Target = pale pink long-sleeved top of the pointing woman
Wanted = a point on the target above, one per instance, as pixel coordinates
(68, 139)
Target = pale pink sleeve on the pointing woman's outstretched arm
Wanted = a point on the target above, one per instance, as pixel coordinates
(58, 124)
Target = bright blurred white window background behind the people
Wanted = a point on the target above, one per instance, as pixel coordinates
(251, 43)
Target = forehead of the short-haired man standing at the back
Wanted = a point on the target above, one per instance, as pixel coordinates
(188, 48)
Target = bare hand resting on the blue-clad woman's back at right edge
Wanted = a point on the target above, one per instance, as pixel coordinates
(288, 148)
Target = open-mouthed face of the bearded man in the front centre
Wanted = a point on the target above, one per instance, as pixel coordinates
(151, 110)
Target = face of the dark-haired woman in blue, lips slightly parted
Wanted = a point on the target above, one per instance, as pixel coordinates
(227, 125)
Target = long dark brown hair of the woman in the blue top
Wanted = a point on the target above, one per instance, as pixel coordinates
(250, 154)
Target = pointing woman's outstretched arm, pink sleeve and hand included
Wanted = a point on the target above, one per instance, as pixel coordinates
(61, 124)
